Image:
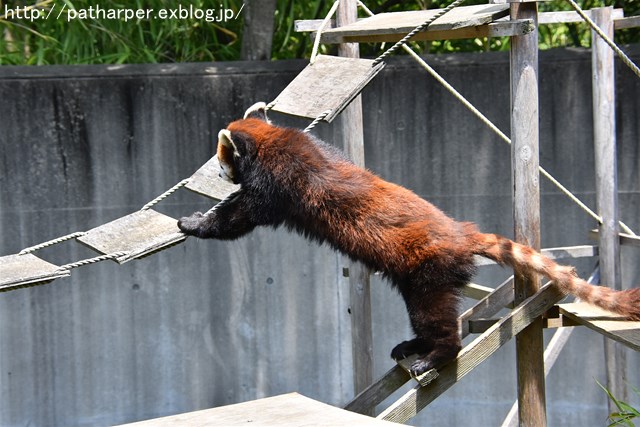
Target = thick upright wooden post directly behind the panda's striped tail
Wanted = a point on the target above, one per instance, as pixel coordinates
(526, 209)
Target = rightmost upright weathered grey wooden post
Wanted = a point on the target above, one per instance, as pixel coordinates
(604, 132)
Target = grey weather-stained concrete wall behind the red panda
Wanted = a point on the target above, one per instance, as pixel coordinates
(210, 323)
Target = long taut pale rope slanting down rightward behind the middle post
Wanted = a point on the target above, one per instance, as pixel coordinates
(493, 127)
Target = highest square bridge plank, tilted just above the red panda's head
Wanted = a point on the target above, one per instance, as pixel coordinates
(327, 85)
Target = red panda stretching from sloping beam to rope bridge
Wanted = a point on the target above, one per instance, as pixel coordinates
(288, 177)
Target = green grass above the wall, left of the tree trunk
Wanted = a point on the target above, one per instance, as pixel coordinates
(64, 39)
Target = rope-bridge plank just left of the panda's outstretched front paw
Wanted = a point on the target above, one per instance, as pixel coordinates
(138, 234)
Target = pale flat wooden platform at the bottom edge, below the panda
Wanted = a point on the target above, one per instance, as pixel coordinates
(291, 409)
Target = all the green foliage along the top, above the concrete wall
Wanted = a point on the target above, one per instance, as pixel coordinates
(59, 37)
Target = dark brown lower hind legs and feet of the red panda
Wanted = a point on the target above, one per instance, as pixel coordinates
(433, 316)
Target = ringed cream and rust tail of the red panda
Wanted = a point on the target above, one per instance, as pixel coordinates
(523, 258)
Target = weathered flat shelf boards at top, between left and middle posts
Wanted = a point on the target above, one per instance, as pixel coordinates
(404, 22)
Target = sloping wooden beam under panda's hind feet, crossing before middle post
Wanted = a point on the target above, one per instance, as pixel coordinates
(473, 354)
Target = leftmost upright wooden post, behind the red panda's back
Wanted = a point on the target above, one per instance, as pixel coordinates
(359, 283)
